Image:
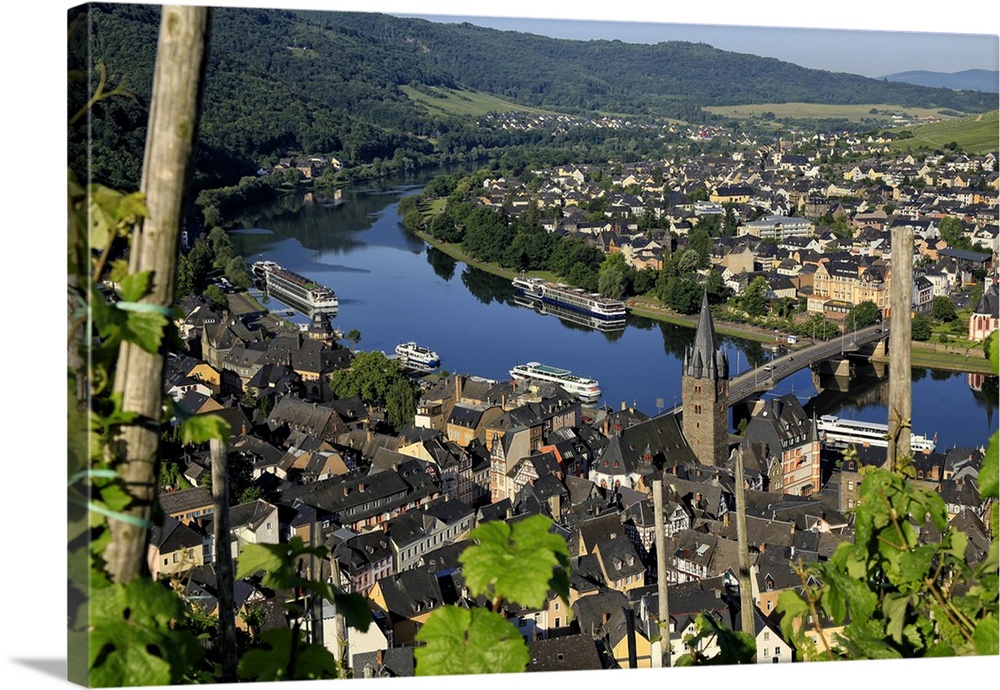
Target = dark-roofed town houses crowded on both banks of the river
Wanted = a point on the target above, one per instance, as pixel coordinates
(392, 504)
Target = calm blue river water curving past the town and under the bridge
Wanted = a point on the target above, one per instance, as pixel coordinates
(393, 287)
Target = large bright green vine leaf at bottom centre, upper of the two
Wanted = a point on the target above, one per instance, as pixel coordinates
(516, 562)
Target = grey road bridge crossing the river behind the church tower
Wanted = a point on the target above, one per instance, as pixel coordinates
(764, 378)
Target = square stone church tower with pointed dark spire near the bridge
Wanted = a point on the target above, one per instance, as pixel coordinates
(705, 393)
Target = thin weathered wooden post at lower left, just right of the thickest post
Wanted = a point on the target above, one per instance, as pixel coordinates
(224, 558)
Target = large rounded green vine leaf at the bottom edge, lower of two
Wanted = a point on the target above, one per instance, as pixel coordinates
(469, 641)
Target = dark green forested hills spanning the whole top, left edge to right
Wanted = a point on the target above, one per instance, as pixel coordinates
(280, 81)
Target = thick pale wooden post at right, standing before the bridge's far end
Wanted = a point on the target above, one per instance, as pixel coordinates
(900, 329)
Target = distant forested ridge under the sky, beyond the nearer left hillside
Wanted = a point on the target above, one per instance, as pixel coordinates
(623, 77)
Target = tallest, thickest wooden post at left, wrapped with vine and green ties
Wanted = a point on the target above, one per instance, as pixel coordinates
(139, 376)
